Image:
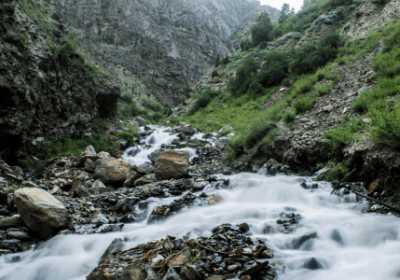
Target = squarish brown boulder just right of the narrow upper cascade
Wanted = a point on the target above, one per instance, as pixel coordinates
(172, 164)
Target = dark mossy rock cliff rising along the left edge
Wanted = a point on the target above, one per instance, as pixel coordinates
(46, 87)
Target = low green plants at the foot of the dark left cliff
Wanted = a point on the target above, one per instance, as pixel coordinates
(52, 148)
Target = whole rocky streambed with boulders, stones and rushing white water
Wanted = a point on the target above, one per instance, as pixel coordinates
(170, 188)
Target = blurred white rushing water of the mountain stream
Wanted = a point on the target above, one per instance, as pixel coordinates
(369, 247)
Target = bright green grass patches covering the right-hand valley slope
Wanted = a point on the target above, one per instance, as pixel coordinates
(245, 113)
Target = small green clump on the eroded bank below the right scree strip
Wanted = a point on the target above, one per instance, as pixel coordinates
(345, 133)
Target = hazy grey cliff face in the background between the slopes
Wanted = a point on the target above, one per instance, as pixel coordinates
(155, 48)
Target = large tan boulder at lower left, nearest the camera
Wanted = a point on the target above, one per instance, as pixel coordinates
(41, 212)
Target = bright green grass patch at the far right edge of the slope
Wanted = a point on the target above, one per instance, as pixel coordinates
(380, 103)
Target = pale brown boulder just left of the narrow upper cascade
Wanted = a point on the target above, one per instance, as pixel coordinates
(112, 171)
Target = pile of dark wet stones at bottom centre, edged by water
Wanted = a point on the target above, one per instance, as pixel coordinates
(228, 253)
